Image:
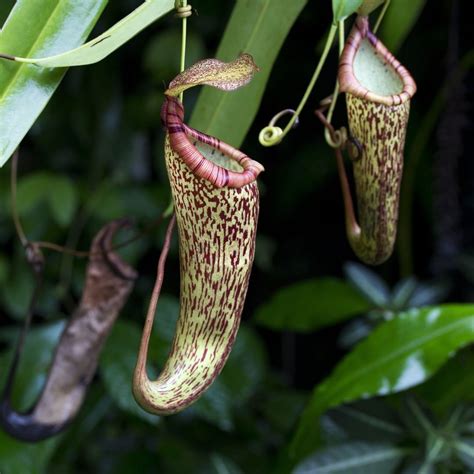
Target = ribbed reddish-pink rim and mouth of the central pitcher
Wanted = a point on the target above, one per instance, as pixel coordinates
(207, 157)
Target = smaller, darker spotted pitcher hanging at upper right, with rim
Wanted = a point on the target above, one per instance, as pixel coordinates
(378, 92)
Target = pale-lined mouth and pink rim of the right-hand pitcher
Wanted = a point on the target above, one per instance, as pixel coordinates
(368, 70)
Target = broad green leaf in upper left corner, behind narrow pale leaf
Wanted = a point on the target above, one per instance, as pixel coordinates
(33, 28)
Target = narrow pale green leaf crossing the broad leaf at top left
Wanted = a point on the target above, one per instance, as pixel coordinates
(109, 41)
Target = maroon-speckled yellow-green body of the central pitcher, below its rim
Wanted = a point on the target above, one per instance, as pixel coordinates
(217, 230)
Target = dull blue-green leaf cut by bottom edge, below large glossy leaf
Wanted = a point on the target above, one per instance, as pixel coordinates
(354, 458)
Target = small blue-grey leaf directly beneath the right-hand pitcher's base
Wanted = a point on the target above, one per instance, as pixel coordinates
(368, 283)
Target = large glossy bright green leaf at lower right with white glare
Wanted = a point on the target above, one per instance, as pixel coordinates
(399, 354)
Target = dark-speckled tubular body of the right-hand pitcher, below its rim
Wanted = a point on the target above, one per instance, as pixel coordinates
(377, 174)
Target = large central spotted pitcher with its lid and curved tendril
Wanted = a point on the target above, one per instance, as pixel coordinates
(216, 202)
